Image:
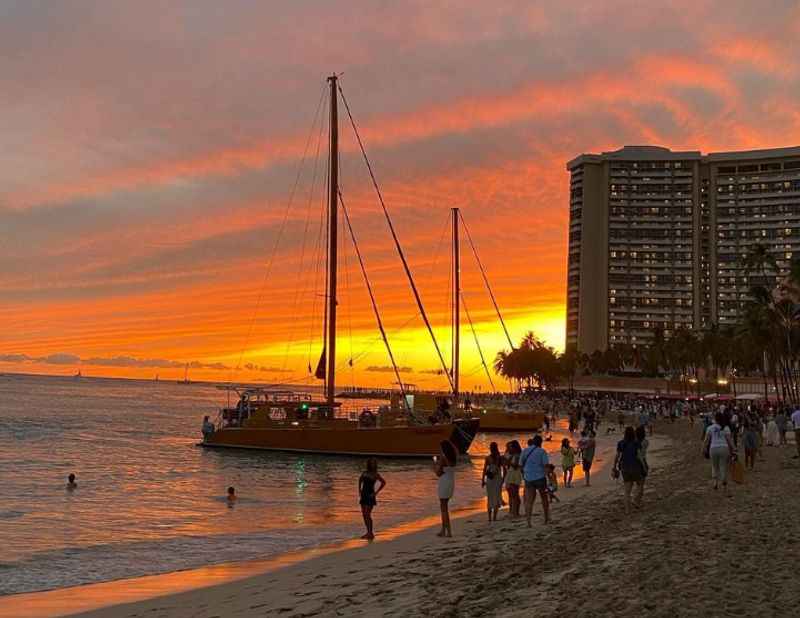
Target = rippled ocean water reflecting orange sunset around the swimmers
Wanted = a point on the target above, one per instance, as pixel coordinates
(150, 501)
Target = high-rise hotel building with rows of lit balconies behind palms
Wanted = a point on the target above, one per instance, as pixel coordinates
(656, 238)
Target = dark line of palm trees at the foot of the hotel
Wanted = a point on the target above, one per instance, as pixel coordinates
(763, 341)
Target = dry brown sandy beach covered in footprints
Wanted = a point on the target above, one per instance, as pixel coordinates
(689, 552)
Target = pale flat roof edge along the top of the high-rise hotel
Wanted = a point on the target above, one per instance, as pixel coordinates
(661, 153)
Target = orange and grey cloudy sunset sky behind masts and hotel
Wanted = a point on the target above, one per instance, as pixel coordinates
(150, 150)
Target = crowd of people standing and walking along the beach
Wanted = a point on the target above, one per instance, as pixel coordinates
(527, 473)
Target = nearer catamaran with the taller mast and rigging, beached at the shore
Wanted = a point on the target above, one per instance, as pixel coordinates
(287, 421)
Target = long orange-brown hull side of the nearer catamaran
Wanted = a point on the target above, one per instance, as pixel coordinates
(404, 441)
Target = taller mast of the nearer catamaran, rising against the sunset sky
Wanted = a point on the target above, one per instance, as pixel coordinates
(333, 220)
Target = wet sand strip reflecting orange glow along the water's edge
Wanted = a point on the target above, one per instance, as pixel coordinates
(112, 597)
